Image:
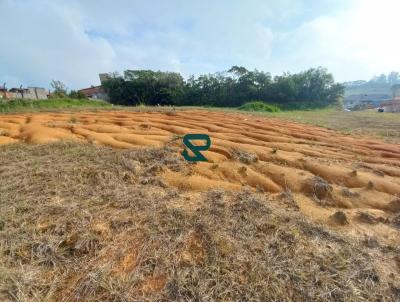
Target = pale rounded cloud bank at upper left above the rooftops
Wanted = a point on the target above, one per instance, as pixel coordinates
(43, 42)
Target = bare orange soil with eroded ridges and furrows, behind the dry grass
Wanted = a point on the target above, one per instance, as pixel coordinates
(290, 154)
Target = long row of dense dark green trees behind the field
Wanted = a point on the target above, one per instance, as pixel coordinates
(314, 88)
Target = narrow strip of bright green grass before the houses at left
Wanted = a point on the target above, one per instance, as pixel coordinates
(20, 105)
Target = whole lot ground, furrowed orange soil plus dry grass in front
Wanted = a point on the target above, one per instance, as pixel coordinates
(300, 212)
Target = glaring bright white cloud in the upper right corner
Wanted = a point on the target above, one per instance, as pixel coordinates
(354, 44)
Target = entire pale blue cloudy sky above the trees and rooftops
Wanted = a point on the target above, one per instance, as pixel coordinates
(74, 40)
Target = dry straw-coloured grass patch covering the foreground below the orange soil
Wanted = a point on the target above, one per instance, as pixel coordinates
(80, 222)
